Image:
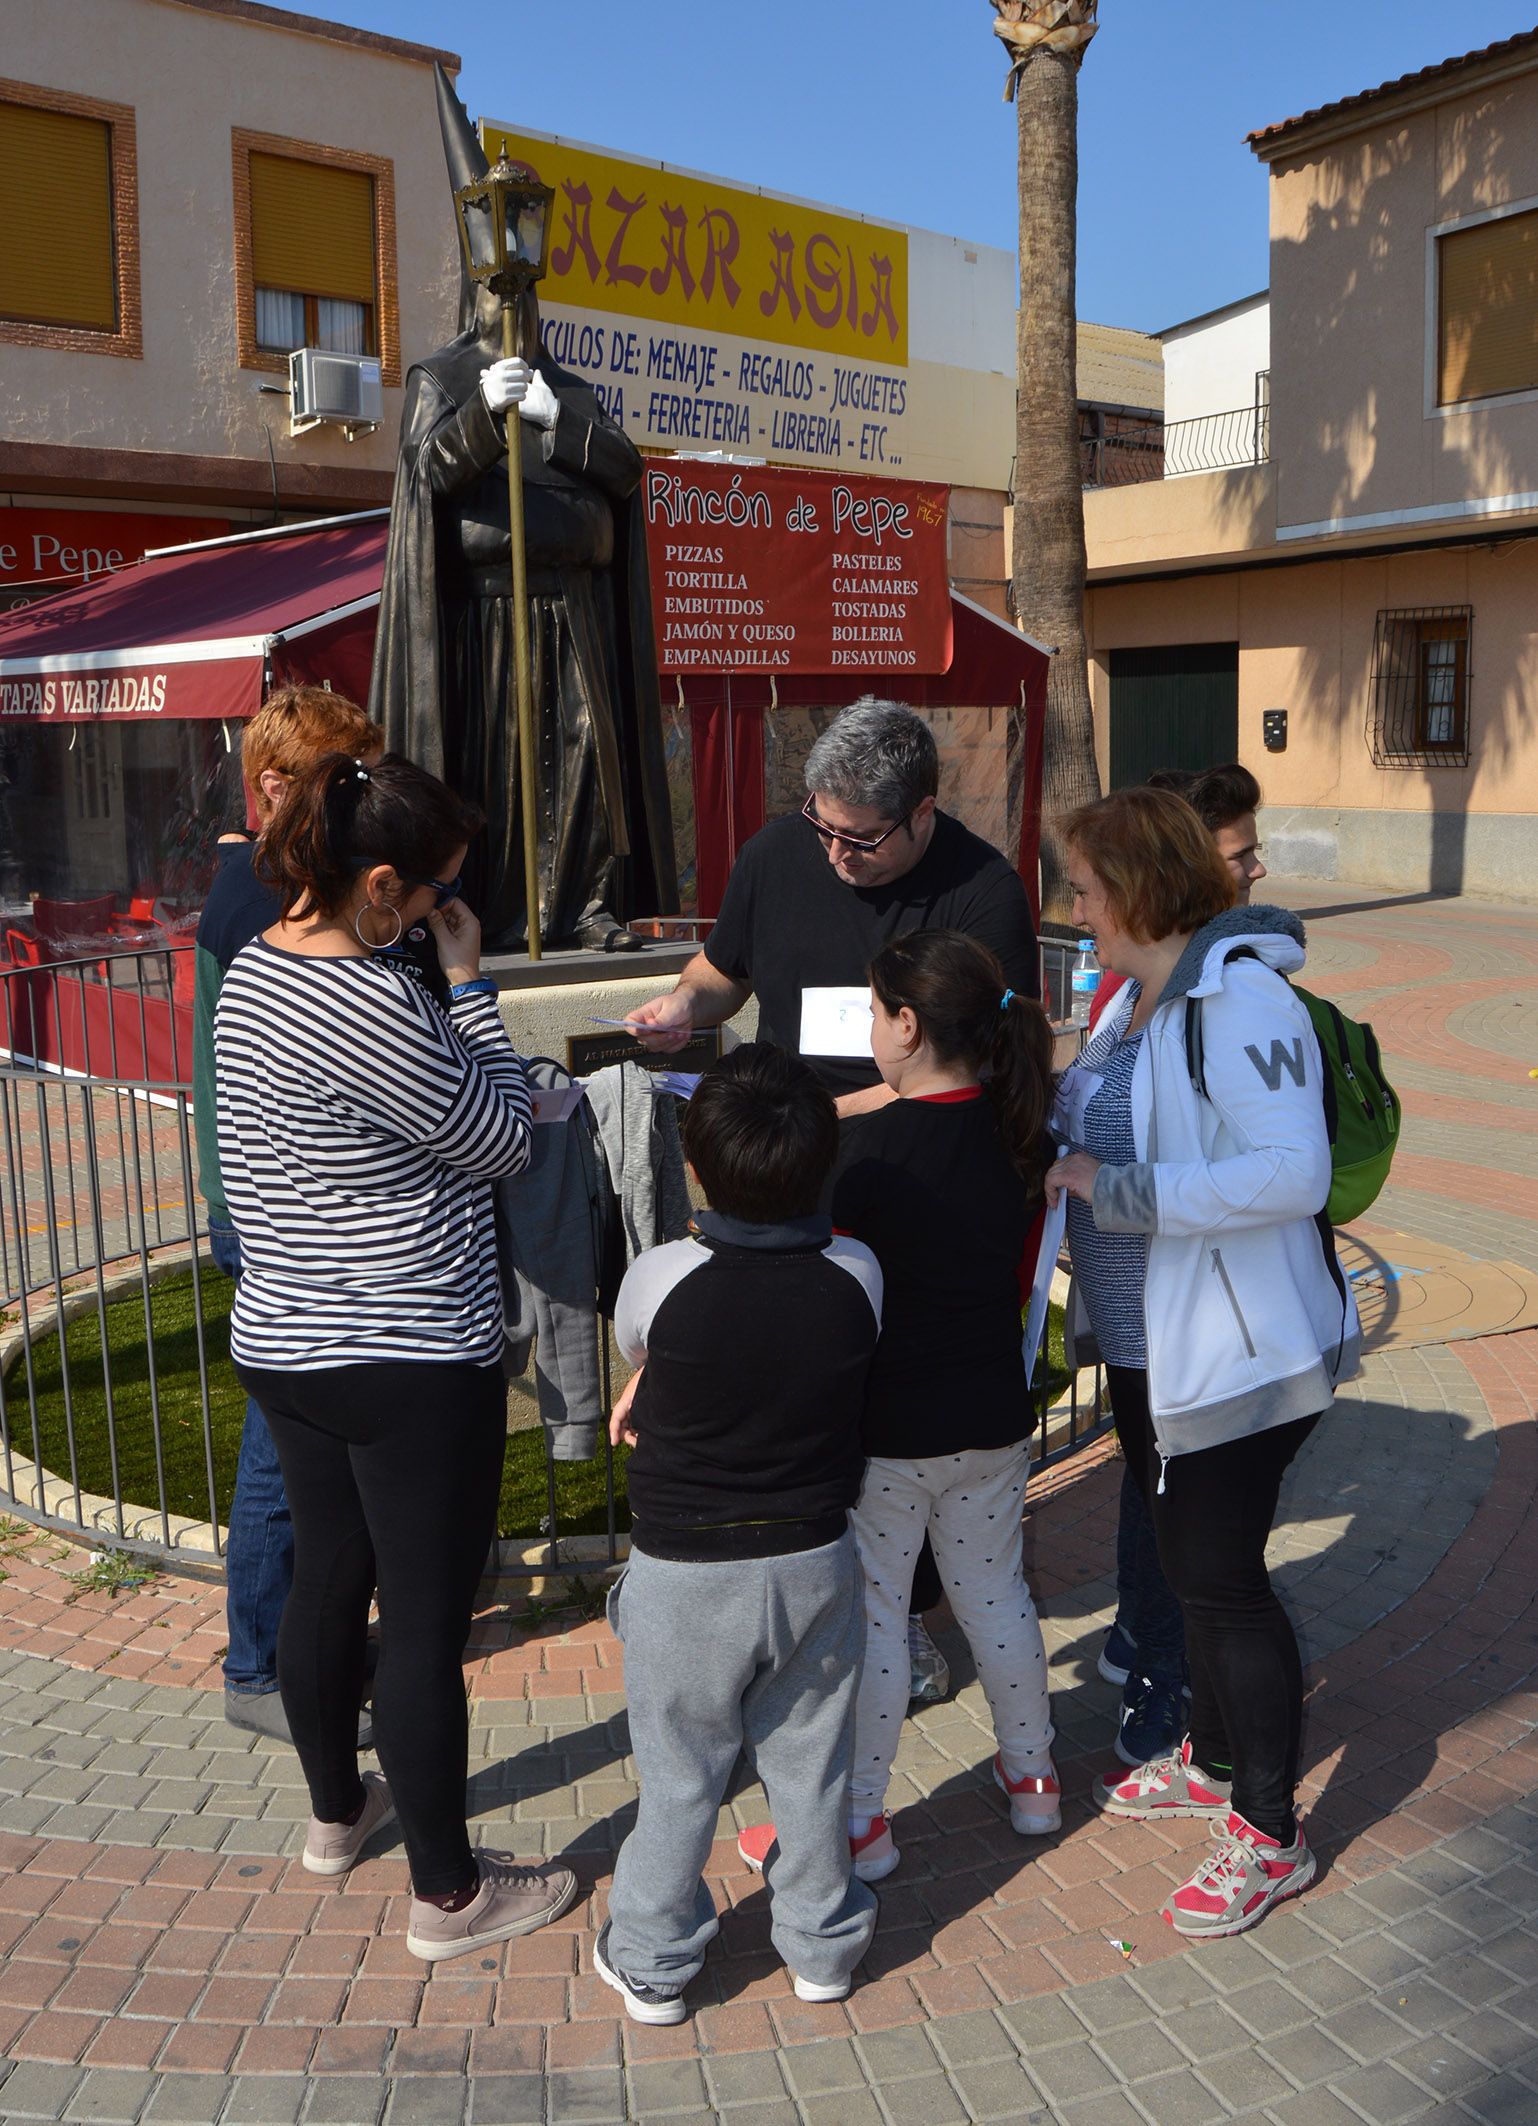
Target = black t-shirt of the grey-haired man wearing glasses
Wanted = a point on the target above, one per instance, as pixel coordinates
(790, 924)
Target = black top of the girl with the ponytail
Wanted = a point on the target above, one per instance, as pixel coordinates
(931, 1192)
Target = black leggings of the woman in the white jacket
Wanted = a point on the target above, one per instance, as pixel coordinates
(1211, 1521)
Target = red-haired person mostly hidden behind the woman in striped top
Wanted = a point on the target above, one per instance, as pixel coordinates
(292, 730)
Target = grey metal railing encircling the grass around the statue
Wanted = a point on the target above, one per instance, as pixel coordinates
(99, 1213)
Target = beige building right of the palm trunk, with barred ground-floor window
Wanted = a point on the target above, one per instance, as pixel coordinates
(1345, 601)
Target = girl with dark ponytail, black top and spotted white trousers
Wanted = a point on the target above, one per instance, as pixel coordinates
(946, 1185)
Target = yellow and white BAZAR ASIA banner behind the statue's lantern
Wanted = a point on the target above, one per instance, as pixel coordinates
(714, 318)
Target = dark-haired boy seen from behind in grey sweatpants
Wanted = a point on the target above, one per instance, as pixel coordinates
(741, 1613)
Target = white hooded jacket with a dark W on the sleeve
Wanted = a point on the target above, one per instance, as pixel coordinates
(1250, 1319)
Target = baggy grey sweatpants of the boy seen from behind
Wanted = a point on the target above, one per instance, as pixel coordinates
(756, 1655)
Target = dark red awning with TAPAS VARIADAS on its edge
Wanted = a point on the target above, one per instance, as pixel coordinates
(201, 630)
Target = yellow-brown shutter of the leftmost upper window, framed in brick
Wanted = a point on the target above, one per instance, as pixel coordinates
(56, 220)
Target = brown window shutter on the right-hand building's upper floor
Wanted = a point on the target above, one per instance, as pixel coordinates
(1488, 309)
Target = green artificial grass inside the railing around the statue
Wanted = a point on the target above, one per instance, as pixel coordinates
(524, 1508)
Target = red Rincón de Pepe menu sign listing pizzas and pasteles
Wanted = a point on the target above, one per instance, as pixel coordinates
(771, 569)
